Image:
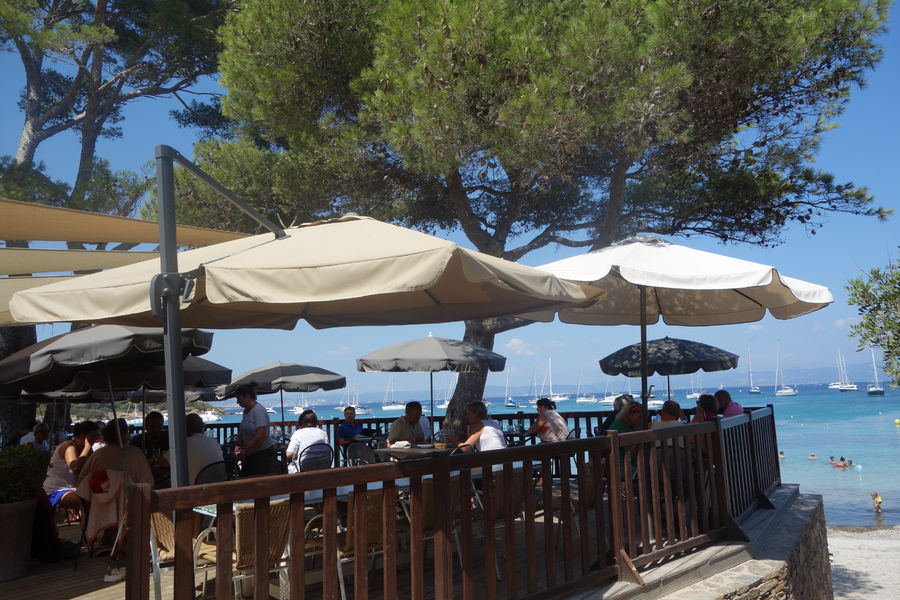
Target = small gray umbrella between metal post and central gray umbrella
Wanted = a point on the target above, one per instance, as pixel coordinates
(285, 377)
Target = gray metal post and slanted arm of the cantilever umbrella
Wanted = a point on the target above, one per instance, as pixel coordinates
(169, 286)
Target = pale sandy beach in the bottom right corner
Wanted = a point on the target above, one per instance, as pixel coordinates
(866, 562)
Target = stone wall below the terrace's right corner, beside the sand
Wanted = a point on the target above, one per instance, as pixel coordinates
(804, 575)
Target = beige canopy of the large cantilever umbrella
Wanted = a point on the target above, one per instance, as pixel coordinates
(347, 271)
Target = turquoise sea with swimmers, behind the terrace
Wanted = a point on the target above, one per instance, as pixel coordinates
(828, 422)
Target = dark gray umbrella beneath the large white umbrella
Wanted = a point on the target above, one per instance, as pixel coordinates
(668, 356)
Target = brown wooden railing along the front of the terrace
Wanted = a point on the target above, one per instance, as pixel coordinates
(543, 517)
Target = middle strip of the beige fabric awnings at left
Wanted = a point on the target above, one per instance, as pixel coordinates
(19, 261)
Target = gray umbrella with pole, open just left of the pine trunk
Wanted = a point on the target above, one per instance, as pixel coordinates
(429, 355)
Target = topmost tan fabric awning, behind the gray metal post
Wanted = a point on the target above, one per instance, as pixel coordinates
(28, 221)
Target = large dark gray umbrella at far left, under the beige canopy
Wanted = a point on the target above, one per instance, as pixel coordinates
(51, 364)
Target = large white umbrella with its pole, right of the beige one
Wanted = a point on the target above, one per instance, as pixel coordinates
(646, 278)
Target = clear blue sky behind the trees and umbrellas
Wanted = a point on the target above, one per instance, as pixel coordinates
(863, 149)
